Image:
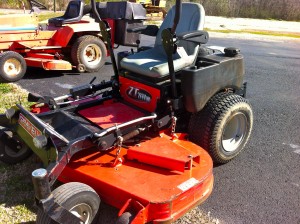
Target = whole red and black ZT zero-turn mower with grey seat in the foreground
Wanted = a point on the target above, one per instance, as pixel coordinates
(143, 142)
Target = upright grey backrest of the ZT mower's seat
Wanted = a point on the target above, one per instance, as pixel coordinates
(191, 19)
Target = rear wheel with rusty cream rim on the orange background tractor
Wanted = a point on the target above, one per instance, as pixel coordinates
(89, 51)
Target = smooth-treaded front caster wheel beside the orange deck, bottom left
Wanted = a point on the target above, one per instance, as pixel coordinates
(80, 199)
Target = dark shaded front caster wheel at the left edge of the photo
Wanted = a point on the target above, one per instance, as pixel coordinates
(10, 155)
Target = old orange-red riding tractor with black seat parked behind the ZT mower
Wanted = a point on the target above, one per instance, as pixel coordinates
(70, 41)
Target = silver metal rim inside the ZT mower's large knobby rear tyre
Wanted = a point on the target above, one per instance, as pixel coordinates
(234, 132)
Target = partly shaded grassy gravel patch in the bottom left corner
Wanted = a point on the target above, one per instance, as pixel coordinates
(17, 195)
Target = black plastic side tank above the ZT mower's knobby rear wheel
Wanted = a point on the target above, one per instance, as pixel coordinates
(211, 74)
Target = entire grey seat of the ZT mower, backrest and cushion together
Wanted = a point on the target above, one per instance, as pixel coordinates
(154, 63)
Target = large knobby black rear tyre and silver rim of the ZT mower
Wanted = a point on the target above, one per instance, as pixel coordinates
(223, 127)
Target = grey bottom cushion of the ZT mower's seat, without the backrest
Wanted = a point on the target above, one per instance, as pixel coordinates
(153, 63)
